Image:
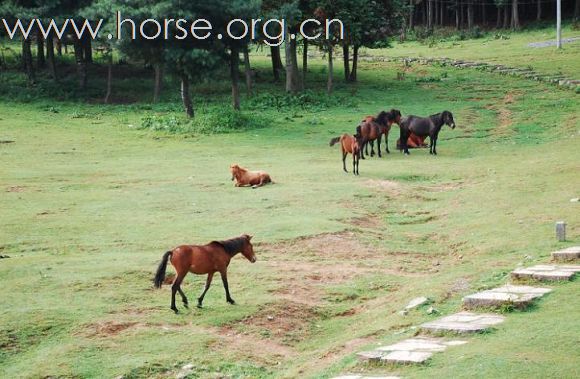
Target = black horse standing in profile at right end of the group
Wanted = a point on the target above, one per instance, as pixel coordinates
(425, 126)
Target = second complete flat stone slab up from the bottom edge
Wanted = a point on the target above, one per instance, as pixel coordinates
(463, 322)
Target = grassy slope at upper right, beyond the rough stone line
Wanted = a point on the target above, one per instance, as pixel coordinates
(513, 51)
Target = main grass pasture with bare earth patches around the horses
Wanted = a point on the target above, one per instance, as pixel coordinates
(89, 205)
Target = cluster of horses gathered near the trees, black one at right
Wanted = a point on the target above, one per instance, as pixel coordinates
(414, 130)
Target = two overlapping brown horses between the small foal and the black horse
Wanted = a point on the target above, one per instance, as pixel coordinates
(373, 128)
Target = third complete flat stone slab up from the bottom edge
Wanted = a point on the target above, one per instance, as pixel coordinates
(518, 296)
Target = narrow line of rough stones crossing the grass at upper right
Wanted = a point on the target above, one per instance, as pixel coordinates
(526, 73)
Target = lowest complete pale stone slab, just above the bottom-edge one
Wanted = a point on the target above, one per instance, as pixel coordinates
(409, 351)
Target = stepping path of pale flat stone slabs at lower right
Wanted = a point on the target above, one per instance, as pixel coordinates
(420, 349)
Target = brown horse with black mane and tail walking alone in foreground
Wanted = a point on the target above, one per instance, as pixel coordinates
(203, 259)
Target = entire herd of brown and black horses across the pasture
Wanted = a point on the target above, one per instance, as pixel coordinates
(216, 255)
